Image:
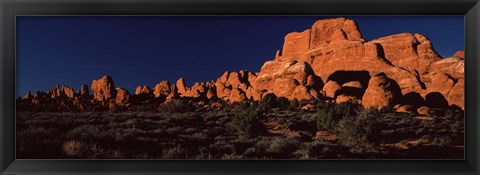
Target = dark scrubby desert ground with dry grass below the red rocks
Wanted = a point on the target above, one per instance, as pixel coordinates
(291, 134)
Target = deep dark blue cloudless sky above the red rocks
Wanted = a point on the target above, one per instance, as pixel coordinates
(144, 50)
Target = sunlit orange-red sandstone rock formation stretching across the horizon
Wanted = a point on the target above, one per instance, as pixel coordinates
(329, 61)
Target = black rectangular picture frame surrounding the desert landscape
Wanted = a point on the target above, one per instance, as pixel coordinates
(11, 8)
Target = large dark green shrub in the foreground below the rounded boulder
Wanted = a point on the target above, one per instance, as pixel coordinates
(359, 131)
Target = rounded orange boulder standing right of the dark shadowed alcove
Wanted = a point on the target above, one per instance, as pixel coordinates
(382, 91)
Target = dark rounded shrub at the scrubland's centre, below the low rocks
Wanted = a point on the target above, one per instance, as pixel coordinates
(249, 121)
